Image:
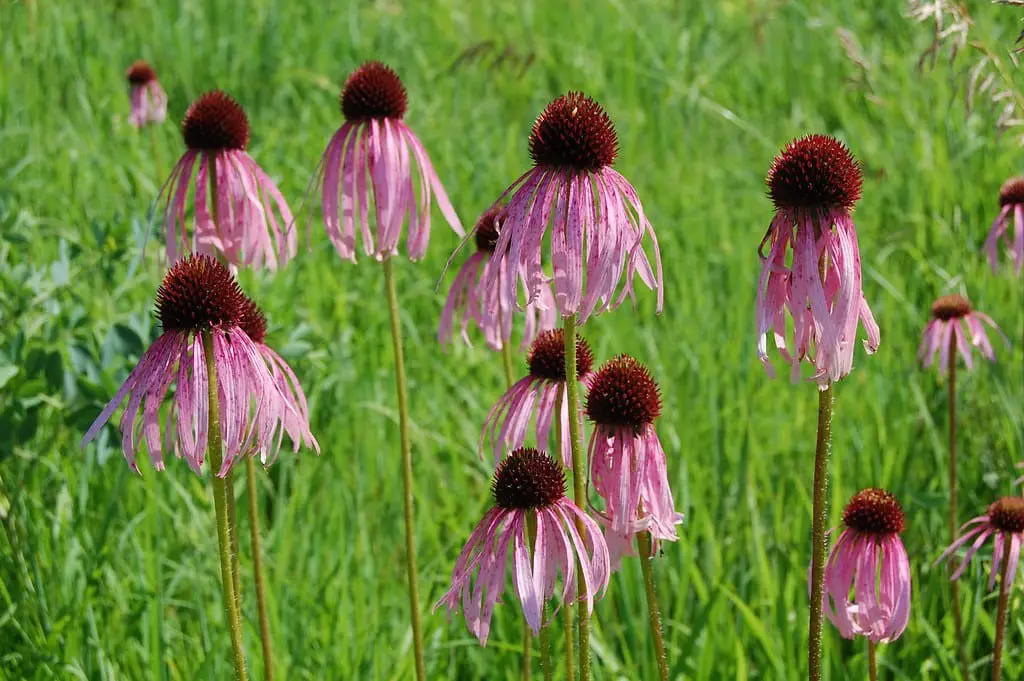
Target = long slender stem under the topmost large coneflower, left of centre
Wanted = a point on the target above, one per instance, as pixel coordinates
(407, 470)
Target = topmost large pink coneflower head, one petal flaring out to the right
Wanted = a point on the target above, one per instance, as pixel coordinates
(370, 162)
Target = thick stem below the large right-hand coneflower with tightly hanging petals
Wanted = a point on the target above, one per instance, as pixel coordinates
(820, 520)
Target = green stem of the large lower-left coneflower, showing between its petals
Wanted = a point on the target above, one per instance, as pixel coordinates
(221, 505)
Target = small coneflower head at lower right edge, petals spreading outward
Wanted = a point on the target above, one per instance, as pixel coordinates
(1005, 523)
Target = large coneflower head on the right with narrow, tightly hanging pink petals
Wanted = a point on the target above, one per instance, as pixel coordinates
(813, 271)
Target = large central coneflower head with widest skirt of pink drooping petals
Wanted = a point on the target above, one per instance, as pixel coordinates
(596, 220)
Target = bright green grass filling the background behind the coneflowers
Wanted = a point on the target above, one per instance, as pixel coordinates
(108, 576)
